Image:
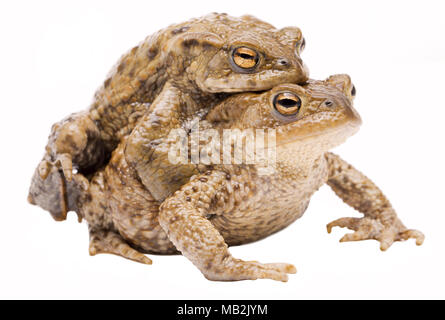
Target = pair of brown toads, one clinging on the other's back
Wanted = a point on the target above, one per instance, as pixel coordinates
(111, 164)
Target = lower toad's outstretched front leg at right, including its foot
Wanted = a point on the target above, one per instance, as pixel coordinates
(380, 221)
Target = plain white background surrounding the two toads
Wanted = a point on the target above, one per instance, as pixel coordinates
(55, 54)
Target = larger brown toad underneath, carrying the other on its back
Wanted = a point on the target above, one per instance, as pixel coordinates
(233, 204)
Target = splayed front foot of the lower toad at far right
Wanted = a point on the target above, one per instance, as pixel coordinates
(367, 228)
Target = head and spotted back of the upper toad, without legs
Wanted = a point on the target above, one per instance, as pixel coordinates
(194, 57)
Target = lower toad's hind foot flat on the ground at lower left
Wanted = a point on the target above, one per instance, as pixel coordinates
(105, 241)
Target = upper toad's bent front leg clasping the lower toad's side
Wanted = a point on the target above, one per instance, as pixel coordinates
(148, 145)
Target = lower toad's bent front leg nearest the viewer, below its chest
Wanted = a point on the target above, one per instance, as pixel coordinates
(183, 217)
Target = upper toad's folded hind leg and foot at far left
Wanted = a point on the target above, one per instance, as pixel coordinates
(54, 186)
